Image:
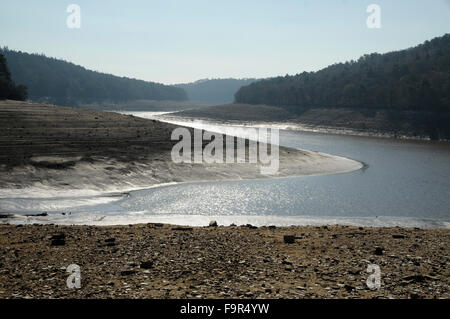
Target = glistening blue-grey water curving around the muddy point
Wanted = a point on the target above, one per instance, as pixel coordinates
(404, 183)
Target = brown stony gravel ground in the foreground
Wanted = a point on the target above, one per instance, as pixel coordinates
(166, 261)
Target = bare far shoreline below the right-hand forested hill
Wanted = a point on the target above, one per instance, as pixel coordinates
(340, 121)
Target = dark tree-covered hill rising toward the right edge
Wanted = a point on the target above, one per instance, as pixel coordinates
(413, 79)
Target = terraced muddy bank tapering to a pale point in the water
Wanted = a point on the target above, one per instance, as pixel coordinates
(56, 149)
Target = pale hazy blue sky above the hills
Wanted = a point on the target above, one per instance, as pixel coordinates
(182, 41)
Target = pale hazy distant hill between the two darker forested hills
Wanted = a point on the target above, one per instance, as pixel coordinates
(214, 91)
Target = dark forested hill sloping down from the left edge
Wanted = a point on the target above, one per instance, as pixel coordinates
(56, 81)
